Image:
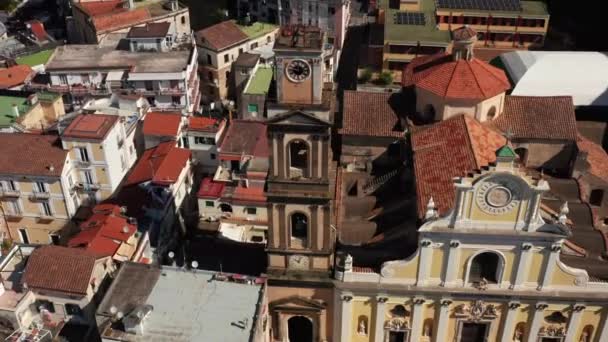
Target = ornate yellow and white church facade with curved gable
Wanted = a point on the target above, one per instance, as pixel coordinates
(488, 269)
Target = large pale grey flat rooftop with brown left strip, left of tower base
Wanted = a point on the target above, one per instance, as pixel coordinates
(187, 305)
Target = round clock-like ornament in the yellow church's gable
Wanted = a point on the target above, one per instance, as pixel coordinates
(498, 195)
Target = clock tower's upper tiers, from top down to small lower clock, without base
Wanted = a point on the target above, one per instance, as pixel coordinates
(300, 178)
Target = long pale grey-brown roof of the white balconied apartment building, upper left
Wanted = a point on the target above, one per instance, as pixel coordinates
(74, 57)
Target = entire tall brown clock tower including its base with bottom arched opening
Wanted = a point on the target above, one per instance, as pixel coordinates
(299, 189)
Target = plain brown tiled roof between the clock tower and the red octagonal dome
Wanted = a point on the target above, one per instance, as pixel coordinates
(369, 114)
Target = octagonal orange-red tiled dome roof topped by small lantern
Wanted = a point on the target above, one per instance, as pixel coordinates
(455, 79)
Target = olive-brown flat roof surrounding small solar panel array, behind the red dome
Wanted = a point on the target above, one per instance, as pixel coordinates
(426, 33)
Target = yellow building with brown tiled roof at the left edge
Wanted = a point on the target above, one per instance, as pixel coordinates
(34, 187)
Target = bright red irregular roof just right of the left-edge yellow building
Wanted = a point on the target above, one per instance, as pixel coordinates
(103, 233)
